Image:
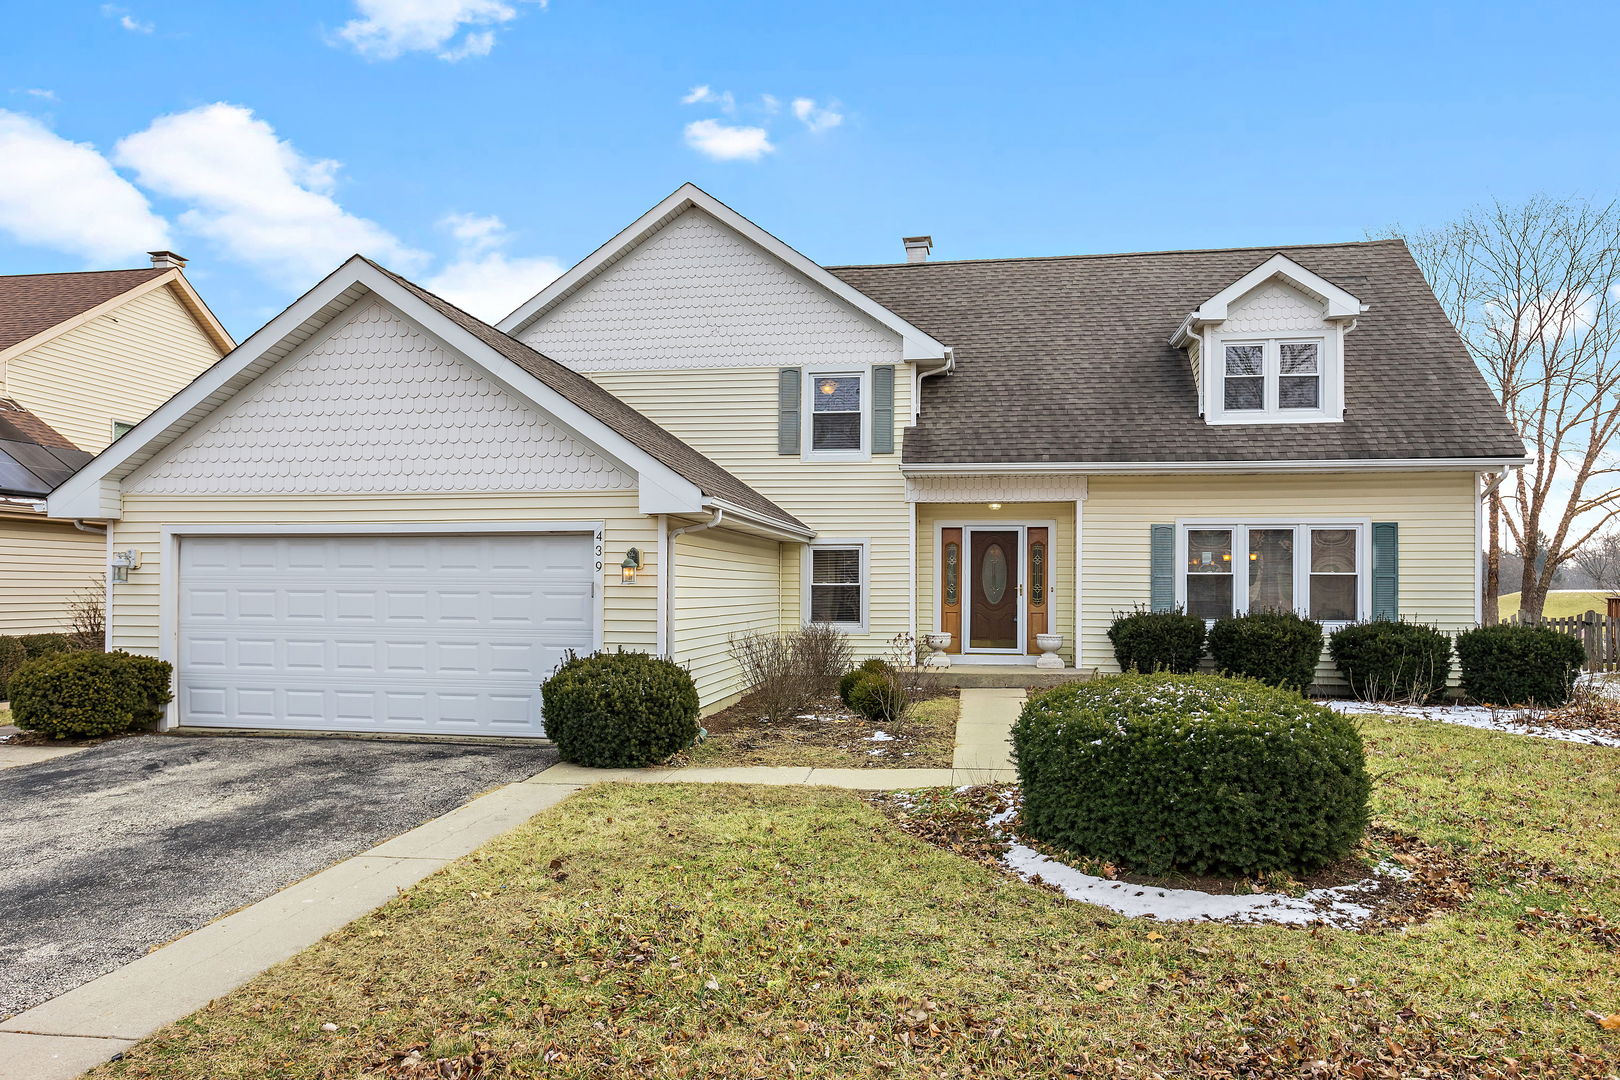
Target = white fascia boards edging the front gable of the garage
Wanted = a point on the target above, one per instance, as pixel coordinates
(659, 487)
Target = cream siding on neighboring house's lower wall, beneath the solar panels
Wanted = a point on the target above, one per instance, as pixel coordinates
(45, 566)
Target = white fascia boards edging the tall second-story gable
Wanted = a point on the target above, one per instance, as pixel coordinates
(914, 344)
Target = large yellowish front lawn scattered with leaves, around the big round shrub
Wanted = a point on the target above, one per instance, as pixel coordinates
(748, 932)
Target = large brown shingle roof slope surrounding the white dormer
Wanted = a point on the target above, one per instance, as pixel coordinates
(1068, 360)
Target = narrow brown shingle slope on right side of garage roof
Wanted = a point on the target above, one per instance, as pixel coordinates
(610, 410)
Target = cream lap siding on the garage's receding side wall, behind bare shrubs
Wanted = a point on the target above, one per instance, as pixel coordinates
(727, 585)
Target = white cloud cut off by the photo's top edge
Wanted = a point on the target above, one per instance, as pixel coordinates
(453, 30)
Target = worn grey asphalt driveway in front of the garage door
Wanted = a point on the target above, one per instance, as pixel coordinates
(113, 851)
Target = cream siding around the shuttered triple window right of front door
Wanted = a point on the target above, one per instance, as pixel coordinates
(1436, 516)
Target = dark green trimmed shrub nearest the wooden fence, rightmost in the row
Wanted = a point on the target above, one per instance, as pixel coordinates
(1509, 665)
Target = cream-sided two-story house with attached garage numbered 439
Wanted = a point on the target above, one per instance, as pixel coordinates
(382, 514)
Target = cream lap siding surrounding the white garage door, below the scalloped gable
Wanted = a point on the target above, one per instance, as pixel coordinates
(631, 611)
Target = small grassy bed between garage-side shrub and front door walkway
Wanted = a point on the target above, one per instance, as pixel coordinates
(832, 738)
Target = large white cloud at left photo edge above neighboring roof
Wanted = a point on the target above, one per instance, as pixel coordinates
(64, 195)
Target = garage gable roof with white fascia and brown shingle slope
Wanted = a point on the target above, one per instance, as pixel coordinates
(673, 475)
